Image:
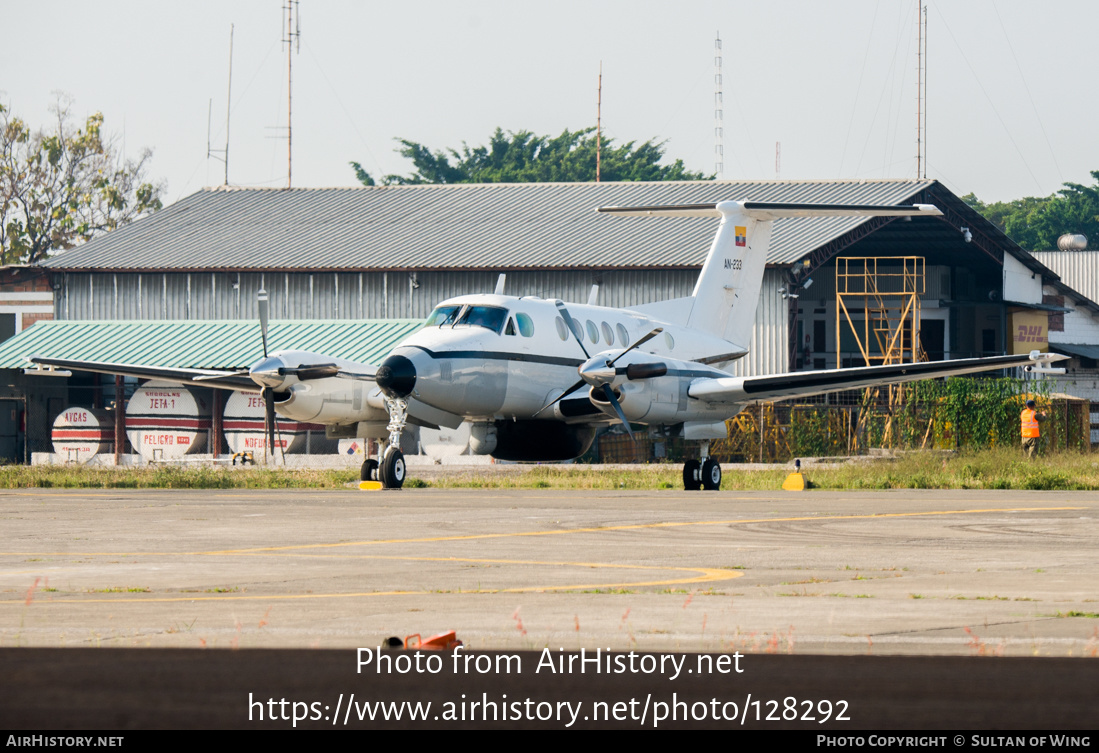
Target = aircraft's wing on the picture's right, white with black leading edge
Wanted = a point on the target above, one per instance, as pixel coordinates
(805, 384)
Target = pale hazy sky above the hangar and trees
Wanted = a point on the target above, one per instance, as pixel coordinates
(1012, 105)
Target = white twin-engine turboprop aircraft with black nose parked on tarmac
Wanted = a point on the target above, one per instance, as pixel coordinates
(536, 379)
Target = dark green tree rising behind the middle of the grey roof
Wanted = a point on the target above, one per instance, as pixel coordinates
(526, 158)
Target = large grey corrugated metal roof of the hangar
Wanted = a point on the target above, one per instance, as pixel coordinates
(469, 227)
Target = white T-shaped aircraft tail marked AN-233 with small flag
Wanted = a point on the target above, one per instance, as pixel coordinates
(728, 290)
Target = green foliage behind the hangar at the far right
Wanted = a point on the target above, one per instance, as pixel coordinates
(1037, 224)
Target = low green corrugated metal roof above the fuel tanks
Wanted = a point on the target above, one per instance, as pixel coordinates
(202, 345)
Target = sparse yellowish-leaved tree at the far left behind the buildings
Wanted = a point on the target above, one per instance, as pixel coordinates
(62, 186)
